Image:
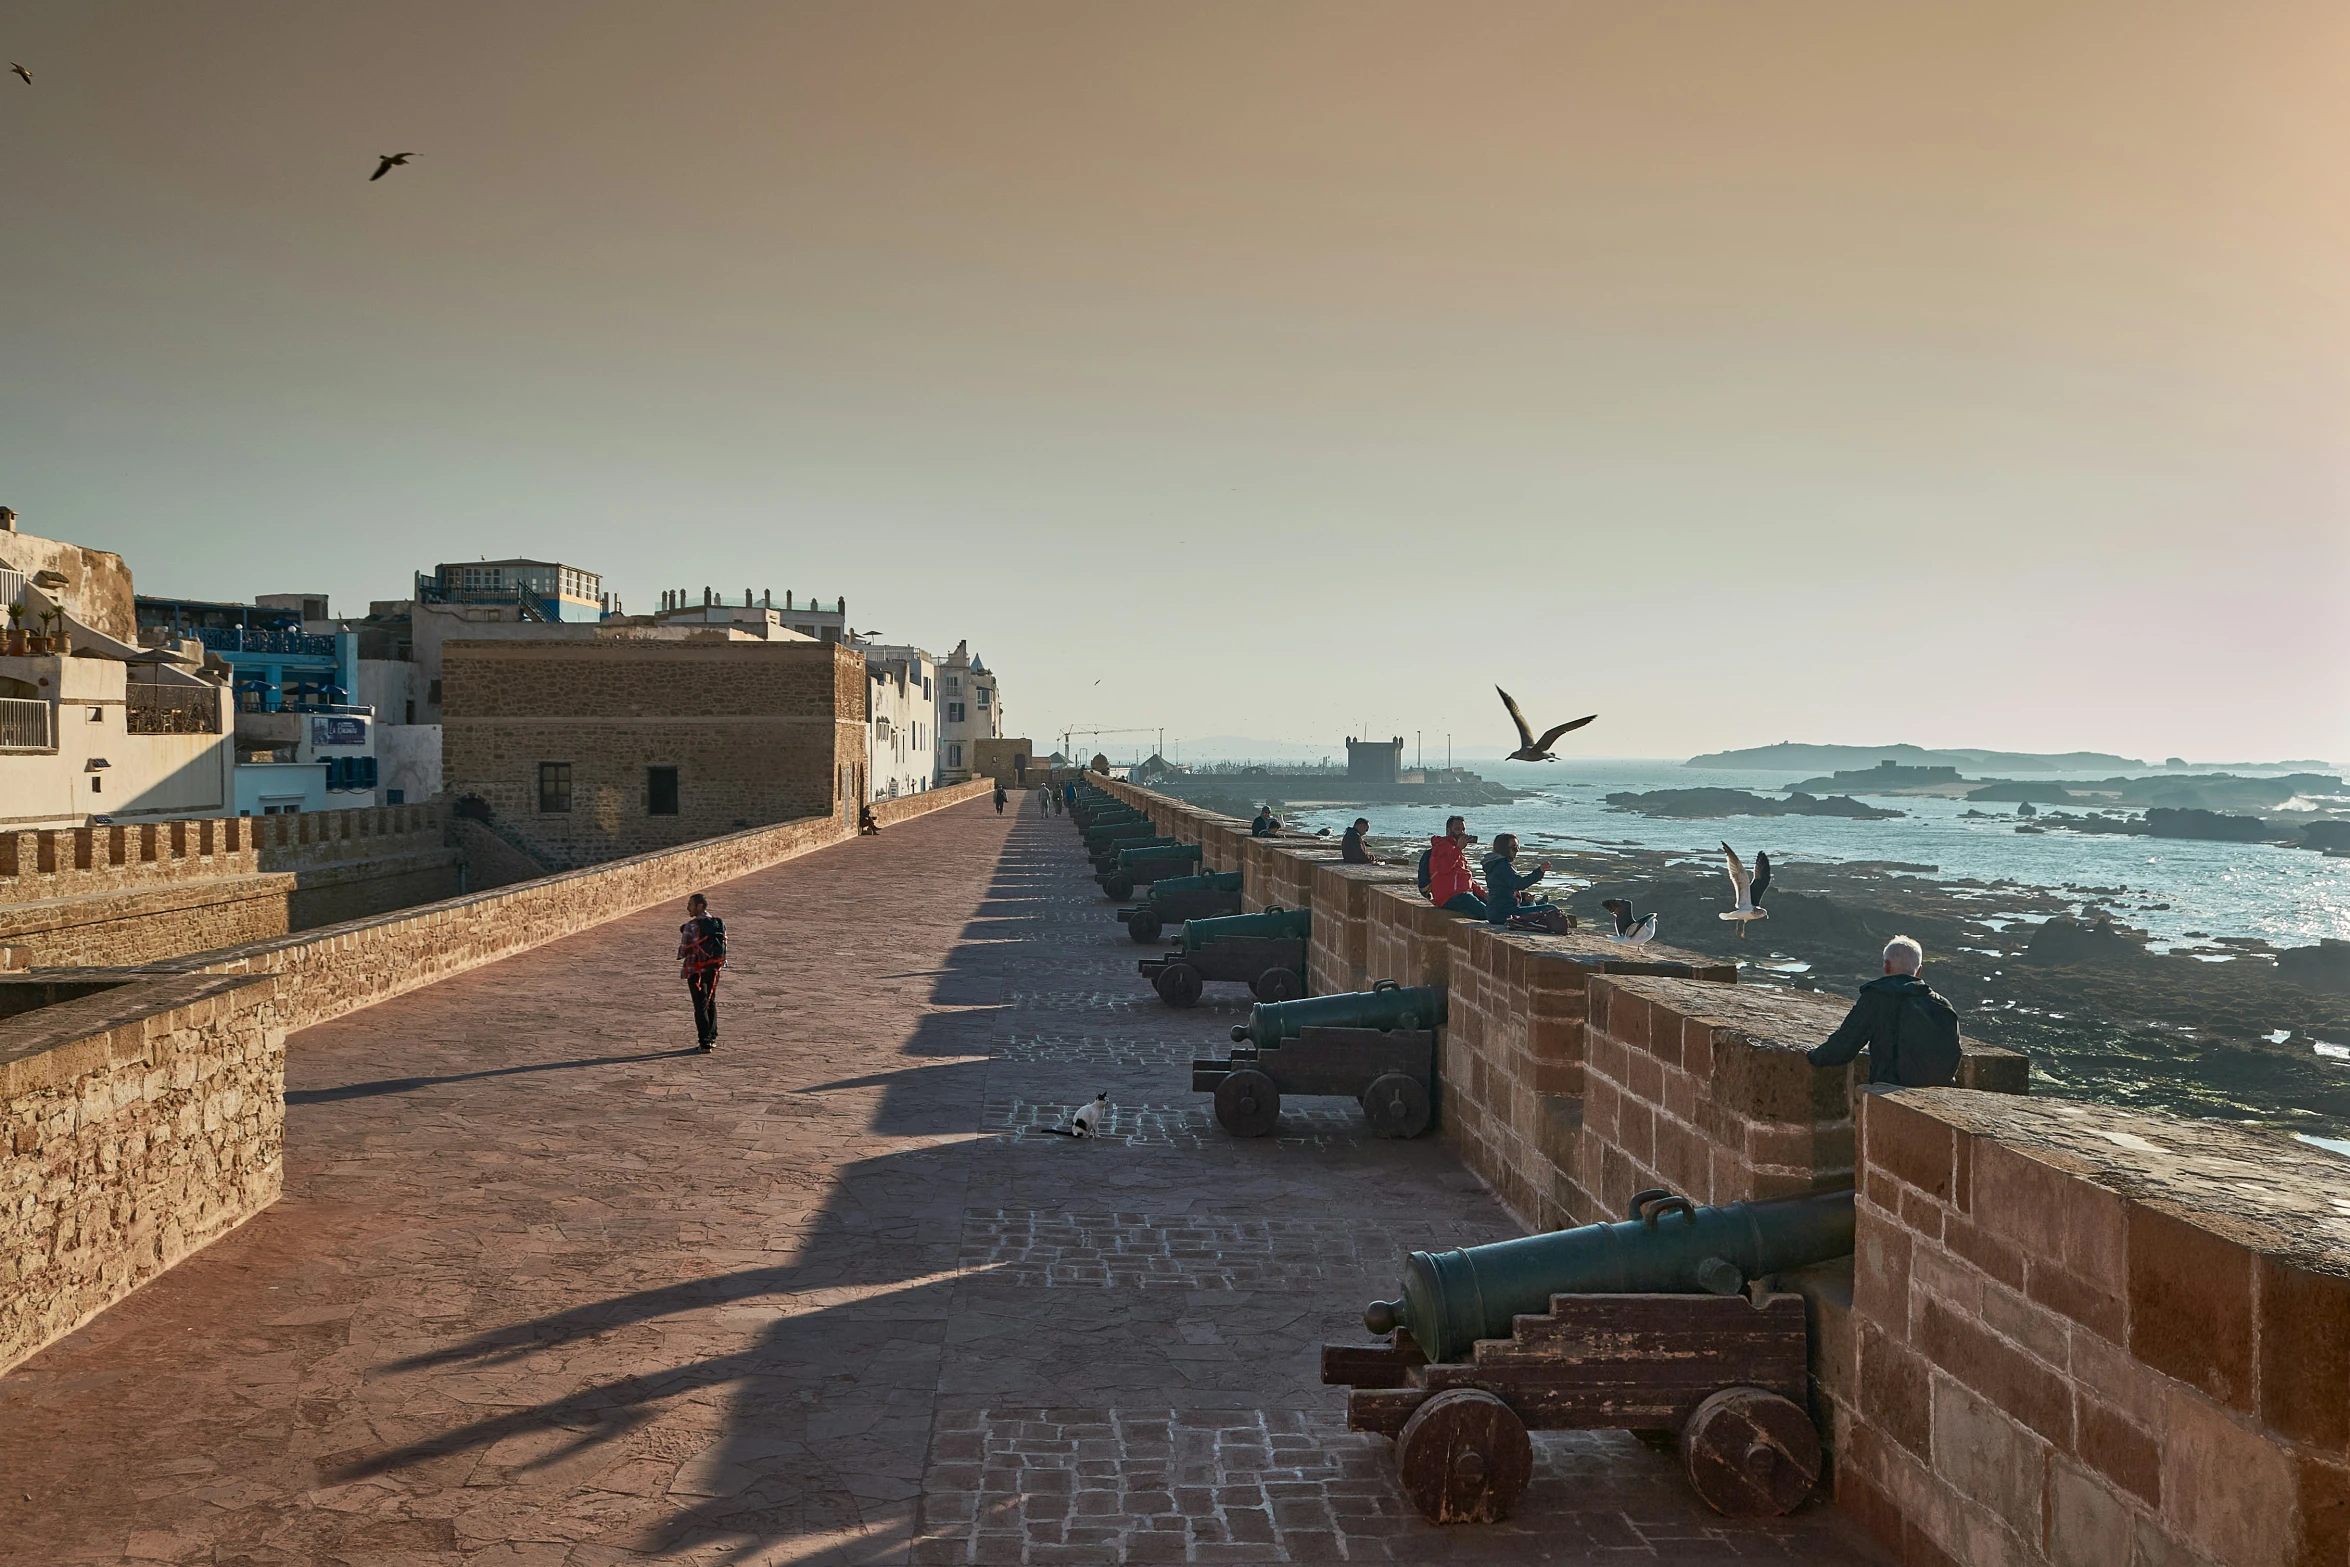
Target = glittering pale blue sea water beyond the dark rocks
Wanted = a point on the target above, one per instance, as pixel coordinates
(2283, 896)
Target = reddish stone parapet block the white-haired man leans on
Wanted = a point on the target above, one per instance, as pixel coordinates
(1705, 1089)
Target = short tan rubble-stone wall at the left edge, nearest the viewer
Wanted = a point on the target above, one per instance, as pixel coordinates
(137, 1124)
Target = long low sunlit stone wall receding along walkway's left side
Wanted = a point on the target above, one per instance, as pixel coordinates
(356, 964)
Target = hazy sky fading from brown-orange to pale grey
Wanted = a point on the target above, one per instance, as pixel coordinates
(1740, 372)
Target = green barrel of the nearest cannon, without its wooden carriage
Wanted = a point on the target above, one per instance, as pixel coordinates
(1451, 1300)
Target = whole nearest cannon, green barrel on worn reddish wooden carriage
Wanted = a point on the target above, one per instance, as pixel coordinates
(1658, 1324)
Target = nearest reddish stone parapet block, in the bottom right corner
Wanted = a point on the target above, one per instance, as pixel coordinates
(2093, 1336)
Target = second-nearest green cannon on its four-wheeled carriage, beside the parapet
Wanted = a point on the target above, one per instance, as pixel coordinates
(1374, 1047)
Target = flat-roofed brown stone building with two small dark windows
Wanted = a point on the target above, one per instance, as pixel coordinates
(638, 739)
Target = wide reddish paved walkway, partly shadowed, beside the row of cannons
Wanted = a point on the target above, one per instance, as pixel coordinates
(549, 1286)
